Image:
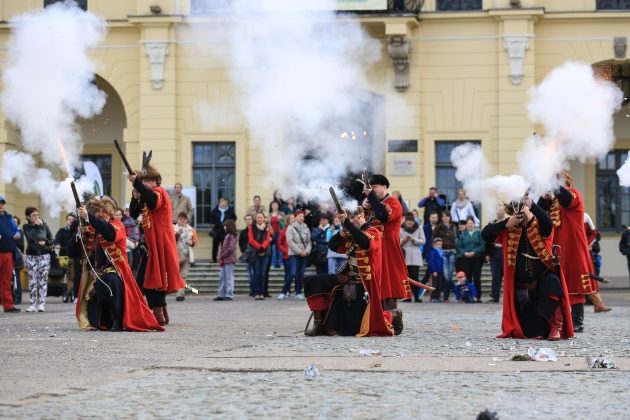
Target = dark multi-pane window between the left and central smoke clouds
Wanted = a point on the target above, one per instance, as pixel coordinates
(214, 174)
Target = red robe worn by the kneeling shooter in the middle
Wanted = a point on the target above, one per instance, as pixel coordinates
(376, 321)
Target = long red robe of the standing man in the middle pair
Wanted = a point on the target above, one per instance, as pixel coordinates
(394, 268)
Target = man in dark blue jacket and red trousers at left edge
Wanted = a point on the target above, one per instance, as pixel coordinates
(8, 235)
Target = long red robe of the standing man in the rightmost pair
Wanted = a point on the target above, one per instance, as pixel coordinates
(569, 233)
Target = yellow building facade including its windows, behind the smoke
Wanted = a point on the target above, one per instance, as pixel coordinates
(462, 69)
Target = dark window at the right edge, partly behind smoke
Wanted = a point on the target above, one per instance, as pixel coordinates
(613, 201)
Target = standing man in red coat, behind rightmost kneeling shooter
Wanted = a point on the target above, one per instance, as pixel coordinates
(566, 209)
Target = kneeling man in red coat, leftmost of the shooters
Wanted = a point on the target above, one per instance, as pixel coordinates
(109, 298)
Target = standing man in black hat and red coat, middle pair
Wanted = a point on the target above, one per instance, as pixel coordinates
(387, 217)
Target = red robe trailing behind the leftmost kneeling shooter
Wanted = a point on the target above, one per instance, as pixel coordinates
(136, 314)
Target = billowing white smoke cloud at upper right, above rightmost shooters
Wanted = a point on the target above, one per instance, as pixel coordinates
(576, 109)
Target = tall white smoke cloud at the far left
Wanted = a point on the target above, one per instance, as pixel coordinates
(48, 83)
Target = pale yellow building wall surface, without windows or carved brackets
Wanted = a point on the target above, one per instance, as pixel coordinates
(459, 88)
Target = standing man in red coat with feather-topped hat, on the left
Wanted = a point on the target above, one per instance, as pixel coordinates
(162, 265)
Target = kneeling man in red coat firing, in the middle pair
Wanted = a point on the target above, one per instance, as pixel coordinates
(349, 303)
